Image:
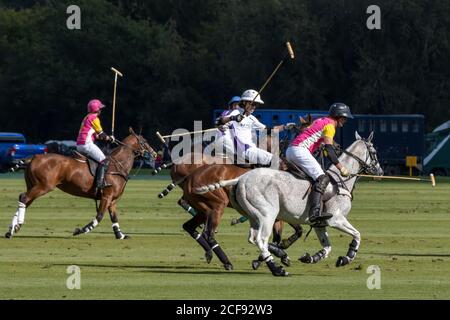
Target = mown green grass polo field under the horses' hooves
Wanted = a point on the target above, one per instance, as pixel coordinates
(405, 230)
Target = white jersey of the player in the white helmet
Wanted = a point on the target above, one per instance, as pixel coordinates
(242, 131)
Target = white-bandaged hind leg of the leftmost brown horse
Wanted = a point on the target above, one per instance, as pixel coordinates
(25, 200)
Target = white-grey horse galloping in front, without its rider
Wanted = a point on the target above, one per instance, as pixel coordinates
(264, 195)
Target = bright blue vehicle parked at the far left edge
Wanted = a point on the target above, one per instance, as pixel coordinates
(13, 148)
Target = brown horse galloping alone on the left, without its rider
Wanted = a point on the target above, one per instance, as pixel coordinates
(46, 172)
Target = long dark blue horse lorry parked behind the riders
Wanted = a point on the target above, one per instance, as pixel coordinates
(396, 136)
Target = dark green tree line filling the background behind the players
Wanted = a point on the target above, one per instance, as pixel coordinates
(181, 59)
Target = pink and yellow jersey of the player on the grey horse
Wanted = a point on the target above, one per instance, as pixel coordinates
(312, 137)
